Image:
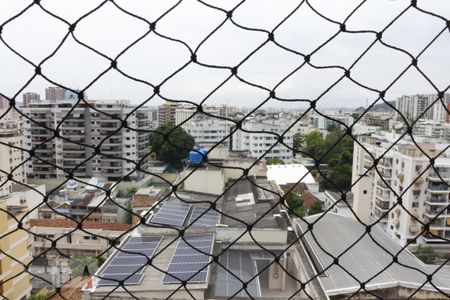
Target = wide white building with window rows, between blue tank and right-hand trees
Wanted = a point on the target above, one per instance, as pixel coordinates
(259, 137)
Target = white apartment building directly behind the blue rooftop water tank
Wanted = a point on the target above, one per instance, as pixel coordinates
(210, 130)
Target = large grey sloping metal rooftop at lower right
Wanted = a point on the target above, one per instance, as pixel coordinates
(334, 233)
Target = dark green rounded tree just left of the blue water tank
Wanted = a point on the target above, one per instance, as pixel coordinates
(171, 144)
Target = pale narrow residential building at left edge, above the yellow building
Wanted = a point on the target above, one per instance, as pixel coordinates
(11, 153)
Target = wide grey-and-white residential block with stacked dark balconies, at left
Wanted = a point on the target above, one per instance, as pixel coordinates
(98, 125)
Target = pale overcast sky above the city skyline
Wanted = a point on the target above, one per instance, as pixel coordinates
(35, 35)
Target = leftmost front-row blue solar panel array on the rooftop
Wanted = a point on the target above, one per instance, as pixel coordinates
(123, 264)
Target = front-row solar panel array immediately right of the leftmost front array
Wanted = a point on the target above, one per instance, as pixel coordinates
(189, 260)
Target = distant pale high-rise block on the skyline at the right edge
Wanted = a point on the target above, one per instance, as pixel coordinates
(413, 107)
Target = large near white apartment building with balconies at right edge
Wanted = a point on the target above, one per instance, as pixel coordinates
(424, 196)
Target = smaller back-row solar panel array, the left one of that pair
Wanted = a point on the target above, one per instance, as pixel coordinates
(172, 213)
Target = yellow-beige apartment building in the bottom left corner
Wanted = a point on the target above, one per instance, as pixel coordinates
(15, 283)
